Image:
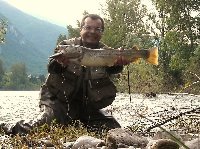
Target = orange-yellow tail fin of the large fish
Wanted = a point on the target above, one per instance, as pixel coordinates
(153, 56)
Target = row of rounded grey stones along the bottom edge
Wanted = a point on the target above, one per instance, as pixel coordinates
(118, 138)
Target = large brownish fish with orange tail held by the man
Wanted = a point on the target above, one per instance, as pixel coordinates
(105, 57)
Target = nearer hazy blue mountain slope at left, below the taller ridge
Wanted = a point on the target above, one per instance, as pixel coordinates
(17, 49)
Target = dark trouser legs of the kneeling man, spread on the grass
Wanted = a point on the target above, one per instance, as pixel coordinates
(95, 121)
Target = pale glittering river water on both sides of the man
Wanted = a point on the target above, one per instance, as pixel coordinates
(17, 105)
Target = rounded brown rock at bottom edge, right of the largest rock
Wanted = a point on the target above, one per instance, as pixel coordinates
(162, 144)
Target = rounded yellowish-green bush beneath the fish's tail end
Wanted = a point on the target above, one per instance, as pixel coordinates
(141, 77)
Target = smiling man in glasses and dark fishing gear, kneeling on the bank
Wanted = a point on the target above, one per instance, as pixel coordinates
(73, 92)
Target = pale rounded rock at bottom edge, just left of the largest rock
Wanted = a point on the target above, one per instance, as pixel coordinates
(85, 142)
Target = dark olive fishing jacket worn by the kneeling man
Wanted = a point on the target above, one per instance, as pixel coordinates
(64, 84)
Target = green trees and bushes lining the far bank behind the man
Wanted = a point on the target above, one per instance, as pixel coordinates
(172, 26)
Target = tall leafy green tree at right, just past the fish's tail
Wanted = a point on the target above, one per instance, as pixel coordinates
(179, 29)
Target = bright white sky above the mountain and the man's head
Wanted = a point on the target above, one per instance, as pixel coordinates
(60, 12)
